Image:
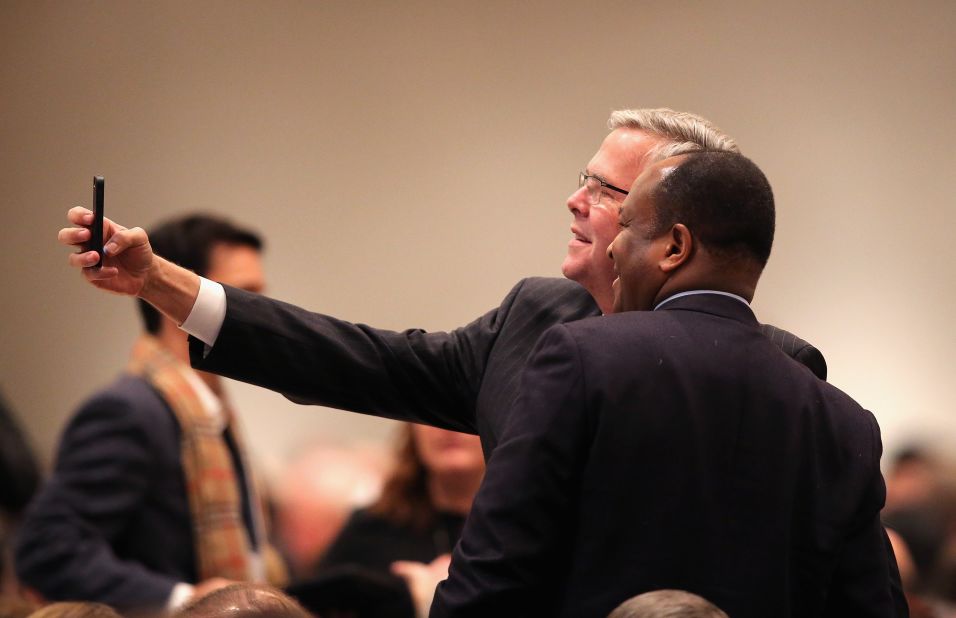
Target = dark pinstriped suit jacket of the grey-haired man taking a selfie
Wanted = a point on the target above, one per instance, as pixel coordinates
(464, 380)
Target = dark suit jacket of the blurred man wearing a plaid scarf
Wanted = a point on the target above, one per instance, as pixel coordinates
(113, 523)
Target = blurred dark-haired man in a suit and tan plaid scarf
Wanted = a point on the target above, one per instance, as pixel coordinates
(151, 501)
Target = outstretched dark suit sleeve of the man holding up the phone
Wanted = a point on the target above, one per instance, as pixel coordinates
(312, 358)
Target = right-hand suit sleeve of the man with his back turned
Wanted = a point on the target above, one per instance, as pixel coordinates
(866, 581)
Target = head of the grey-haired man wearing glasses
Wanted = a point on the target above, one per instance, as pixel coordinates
(638, 138)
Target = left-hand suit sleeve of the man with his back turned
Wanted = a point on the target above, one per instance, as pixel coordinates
(509, 555)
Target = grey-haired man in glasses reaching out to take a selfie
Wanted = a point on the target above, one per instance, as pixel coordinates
(463, 380)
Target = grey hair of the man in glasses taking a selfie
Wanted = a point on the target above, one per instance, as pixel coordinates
(680, 132)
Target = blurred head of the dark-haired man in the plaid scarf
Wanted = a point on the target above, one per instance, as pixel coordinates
(211, 247)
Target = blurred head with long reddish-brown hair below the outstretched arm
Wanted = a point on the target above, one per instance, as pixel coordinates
(435, 471)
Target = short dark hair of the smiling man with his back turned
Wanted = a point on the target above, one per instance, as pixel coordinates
(725, 201)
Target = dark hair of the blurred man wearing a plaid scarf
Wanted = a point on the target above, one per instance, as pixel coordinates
(189, 241)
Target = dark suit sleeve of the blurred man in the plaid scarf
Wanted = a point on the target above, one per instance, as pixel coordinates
(101, 476)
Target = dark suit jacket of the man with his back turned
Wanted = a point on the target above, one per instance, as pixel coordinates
(676, 449)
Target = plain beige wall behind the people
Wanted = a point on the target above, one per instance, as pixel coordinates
(408, 162)
